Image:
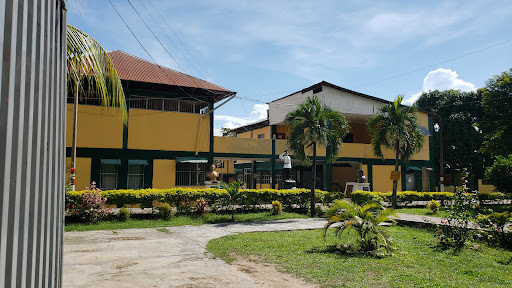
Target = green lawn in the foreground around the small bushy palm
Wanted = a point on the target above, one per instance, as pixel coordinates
(415, 263)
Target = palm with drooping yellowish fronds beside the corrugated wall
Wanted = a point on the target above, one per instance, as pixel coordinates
(89, 64)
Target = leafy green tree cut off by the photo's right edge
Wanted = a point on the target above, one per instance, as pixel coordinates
(497, 121)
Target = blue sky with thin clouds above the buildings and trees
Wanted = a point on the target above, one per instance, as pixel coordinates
(265, 50)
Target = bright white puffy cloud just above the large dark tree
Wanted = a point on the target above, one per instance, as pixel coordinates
(441, 79)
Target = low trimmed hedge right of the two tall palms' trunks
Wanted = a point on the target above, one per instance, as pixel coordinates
(409, 196)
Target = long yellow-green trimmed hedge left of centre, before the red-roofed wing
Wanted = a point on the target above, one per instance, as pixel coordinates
(184, 196)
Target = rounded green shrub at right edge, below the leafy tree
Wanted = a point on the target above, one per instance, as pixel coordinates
(500, 174)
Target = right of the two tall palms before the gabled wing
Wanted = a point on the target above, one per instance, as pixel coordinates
(396, 127)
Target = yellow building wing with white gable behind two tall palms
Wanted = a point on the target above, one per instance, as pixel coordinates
(356, 153)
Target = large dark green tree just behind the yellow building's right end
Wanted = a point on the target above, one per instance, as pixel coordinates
(462, 139)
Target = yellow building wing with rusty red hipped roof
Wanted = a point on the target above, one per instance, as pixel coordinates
(169, 137)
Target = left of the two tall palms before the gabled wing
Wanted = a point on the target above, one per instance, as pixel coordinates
(312, 125)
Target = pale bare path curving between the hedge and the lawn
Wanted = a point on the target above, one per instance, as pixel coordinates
(171, 257)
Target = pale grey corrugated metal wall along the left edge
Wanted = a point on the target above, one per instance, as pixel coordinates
(32, 141)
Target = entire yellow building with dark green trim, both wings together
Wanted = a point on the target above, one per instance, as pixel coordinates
(169, 139)
